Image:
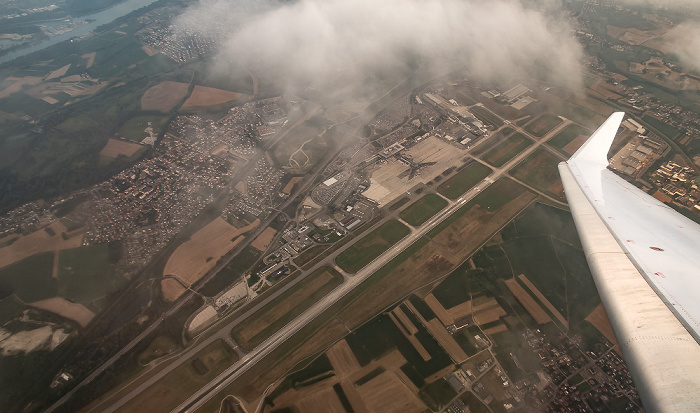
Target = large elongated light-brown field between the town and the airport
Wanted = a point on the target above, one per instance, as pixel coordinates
(192, 259)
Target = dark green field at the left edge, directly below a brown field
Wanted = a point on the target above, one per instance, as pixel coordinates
(31, 278)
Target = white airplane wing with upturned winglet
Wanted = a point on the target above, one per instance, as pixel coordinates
(645, 260)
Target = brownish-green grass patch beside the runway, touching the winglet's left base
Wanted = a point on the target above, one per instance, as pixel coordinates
(540, 171)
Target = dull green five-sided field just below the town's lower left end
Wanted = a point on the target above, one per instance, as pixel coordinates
(86, 276)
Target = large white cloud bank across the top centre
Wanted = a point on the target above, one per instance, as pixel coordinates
(322, 42)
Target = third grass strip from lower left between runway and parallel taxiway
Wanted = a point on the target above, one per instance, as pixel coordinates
(371, 246)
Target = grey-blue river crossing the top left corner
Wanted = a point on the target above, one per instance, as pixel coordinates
(97, 19)
